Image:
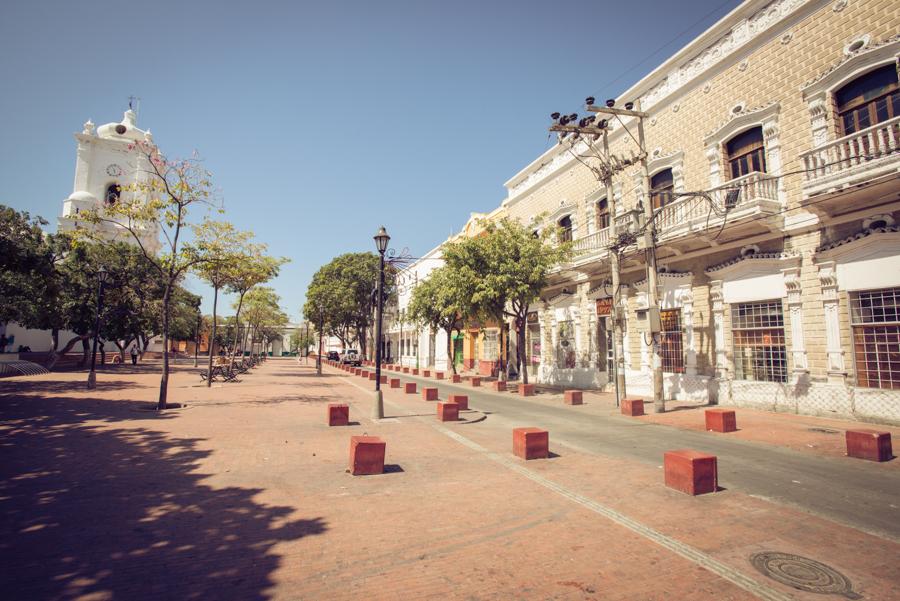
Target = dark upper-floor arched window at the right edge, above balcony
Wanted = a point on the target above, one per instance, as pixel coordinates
(867, 100)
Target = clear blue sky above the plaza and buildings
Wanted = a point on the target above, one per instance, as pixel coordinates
(322, 121)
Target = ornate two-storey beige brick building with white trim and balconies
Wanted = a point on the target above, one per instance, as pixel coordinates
(780, 286)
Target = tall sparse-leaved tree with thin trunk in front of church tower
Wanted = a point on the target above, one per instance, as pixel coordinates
(163, 193)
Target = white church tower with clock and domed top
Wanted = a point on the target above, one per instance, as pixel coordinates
(106, 161)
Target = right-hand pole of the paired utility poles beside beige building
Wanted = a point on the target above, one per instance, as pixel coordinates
(653, 318)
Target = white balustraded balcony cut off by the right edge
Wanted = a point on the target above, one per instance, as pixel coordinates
(854, 172)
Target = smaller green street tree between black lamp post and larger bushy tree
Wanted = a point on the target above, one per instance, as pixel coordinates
(440, 302)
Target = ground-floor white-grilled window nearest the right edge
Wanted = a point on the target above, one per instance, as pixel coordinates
(875, 319)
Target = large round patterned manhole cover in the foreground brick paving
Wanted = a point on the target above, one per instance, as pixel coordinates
(803, 574)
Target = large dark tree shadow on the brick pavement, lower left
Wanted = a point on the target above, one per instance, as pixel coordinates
(95, 510)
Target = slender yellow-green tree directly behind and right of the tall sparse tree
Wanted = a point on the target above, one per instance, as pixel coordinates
(221, 247)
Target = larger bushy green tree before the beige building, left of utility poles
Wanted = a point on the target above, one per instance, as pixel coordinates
(508, 267)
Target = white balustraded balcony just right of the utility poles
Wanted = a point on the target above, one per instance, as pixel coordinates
(735, 209)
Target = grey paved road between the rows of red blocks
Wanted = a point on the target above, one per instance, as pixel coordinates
(857, 493)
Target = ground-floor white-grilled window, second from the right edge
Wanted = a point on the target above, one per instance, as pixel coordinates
(759, 348)
